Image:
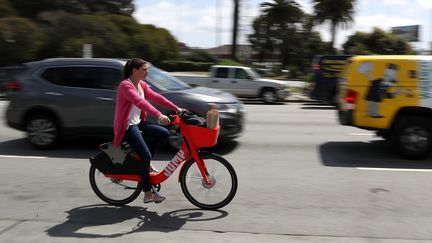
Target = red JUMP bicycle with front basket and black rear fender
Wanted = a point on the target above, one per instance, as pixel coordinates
(207, 180)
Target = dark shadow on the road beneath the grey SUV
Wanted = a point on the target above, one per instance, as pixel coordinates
(83, 148)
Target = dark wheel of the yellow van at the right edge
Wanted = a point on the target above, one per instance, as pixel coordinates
(413, 138)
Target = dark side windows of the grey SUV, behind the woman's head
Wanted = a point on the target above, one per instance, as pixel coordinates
(84, 77)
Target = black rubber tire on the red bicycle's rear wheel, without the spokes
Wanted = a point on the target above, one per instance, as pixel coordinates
(105, 196)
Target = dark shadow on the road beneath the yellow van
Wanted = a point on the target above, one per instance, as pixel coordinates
(376, 154)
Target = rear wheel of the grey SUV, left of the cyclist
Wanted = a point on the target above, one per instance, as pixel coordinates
(42, 131)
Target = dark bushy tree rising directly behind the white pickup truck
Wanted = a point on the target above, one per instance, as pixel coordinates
(290, 34)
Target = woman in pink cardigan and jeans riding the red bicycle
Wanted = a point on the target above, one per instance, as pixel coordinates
(130, 123)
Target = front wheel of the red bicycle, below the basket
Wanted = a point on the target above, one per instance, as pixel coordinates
(220, 173)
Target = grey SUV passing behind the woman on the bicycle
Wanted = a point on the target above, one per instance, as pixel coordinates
(76, 96)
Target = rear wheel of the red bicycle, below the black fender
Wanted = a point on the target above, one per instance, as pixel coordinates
(113, 191)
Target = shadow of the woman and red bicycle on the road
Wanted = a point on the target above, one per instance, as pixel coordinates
(81, 221)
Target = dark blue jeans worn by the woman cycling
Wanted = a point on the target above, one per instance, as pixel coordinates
(145, 138)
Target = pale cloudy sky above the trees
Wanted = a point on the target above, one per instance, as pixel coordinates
(208, 23)
